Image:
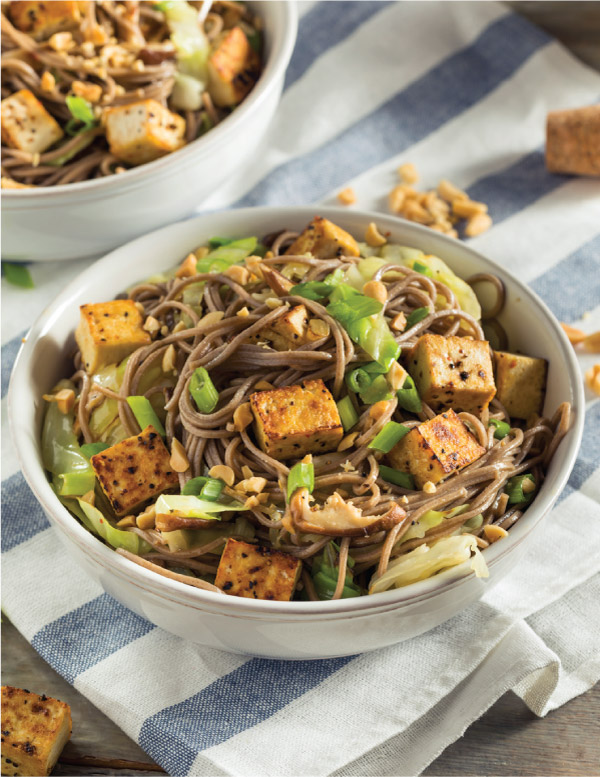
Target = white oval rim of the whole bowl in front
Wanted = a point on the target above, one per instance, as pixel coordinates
(27, 445)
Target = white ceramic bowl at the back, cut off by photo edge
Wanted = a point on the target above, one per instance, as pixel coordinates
(92, 217)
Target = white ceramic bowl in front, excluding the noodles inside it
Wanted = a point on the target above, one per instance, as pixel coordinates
(296, 630)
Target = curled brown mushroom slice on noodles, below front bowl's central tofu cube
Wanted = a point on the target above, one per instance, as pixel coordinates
(336, 518)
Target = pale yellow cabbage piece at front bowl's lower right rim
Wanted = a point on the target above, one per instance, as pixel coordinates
(425, 561)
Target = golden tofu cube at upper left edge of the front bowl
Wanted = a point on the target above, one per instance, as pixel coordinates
(108, 332)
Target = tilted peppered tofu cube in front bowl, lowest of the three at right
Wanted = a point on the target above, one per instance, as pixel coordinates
(435, 449)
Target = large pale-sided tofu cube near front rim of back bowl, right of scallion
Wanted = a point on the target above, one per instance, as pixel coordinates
(141, 132)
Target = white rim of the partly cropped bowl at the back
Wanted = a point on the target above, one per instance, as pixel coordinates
(272, 72)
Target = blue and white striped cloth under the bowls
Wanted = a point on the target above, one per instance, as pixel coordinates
(461, 90)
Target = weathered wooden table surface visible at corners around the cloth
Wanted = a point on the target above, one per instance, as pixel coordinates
(507, 740)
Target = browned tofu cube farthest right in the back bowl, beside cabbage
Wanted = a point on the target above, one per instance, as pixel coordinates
(233, 68)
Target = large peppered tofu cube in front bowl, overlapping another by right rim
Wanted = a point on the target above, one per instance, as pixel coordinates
(453, 372)
